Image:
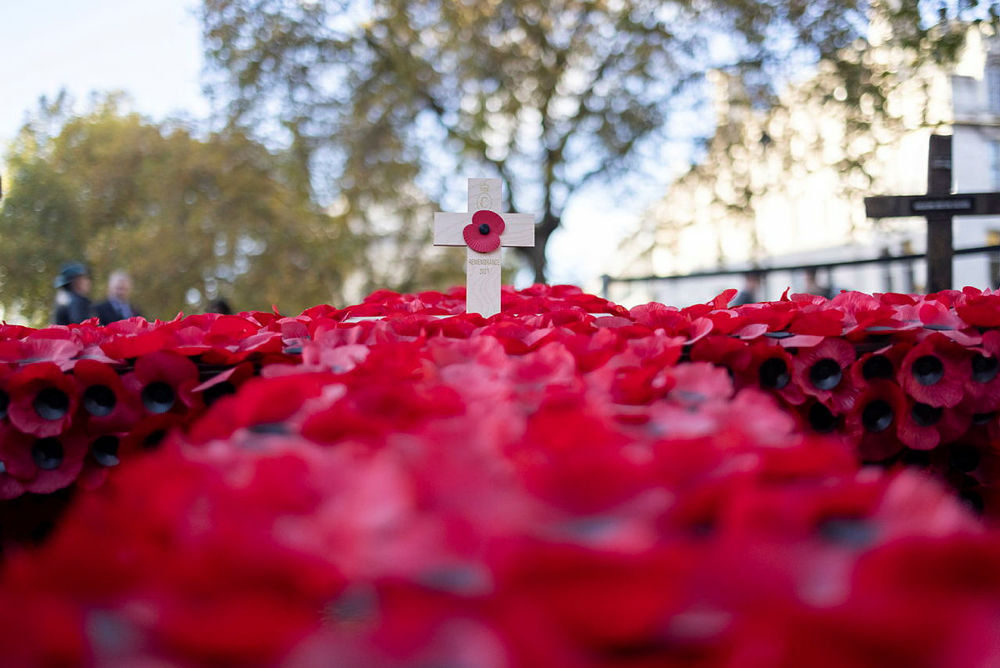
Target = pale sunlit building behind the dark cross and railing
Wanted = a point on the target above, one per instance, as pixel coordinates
(786, 187)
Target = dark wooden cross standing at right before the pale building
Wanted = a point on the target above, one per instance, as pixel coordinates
(937, 206)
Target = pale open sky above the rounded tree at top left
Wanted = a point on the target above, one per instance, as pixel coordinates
(150, 49)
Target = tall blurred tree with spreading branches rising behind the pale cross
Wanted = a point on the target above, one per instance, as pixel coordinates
(381, 98)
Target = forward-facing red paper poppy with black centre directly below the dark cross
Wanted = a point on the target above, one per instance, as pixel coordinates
(936, 371)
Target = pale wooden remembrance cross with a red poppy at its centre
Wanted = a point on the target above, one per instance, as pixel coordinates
(482, 270)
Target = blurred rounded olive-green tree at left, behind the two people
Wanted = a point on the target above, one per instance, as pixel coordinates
(190, 219)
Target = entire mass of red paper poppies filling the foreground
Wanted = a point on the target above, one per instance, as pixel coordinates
(804, 482)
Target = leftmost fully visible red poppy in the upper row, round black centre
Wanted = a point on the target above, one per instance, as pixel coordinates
(43, 399)
